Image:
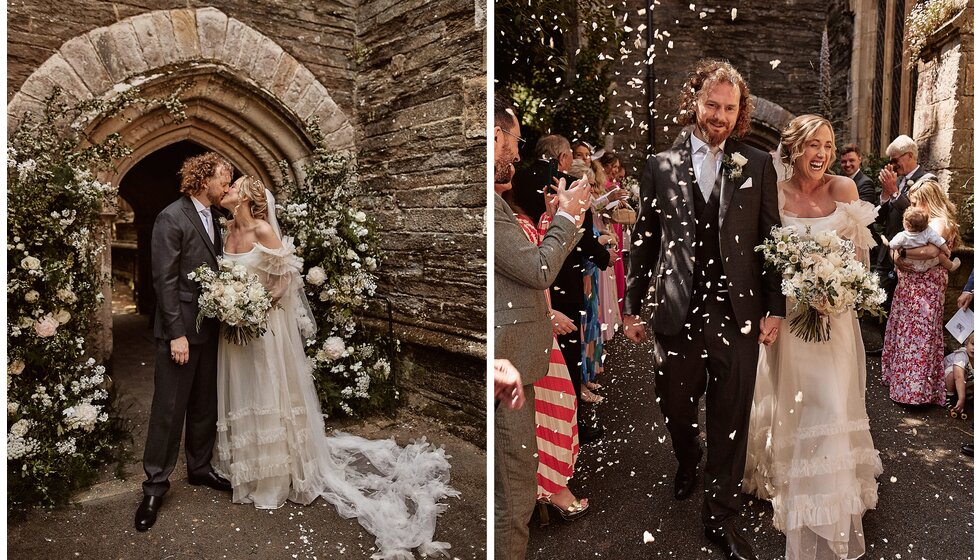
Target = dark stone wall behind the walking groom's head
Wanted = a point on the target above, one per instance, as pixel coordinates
(760, 33)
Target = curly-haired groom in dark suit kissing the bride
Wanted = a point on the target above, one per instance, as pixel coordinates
(185, 236)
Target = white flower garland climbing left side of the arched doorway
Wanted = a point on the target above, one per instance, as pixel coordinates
(61, 422)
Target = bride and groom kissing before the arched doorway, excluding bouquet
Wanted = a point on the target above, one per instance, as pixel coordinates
(253, 421)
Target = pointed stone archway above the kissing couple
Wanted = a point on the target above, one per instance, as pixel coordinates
(245, 97)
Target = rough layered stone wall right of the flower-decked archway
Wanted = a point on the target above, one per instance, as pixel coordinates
(421, 104)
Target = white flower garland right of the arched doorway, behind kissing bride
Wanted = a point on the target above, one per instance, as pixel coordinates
(339, 246)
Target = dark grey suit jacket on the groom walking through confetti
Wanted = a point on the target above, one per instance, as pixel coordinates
(662, 266)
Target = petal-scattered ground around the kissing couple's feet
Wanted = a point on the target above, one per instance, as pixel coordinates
(200, 523)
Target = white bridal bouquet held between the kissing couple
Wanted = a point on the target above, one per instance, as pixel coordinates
(235, 298)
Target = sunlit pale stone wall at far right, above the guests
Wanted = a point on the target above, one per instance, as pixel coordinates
(943, 126)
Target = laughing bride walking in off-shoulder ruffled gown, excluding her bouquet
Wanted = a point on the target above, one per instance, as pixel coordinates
(810, 450)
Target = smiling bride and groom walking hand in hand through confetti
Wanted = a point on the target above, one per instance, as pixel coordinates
(786, 418)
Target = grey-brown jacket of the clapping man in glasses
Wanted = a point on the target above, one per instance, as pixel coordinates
(522, 274)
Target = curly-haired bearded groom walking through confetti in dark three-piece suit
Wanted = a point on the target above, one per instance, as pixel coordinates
(704, 205)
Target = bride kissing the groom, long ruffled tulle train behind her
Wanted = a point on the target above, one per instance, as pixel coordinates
(271, 443)
